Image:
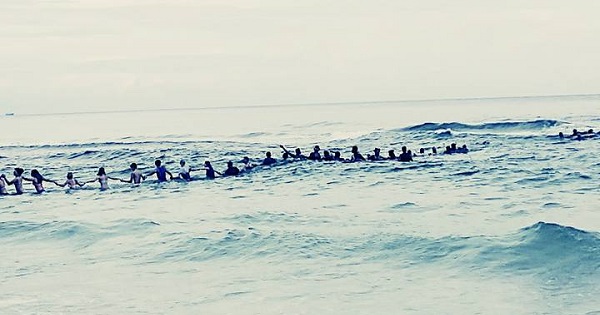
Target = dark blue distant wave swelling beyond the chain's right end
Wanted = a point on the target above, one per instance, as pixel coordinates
(511, 125)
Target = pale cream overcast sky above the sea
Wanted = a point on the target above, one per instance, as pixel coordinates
(97, 55)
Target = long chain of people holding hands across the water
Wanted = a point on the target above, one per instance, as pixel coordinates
(136, 176)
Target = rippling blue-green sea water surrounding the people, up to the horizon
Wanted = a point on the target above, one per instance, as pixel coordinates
(510, 228)
